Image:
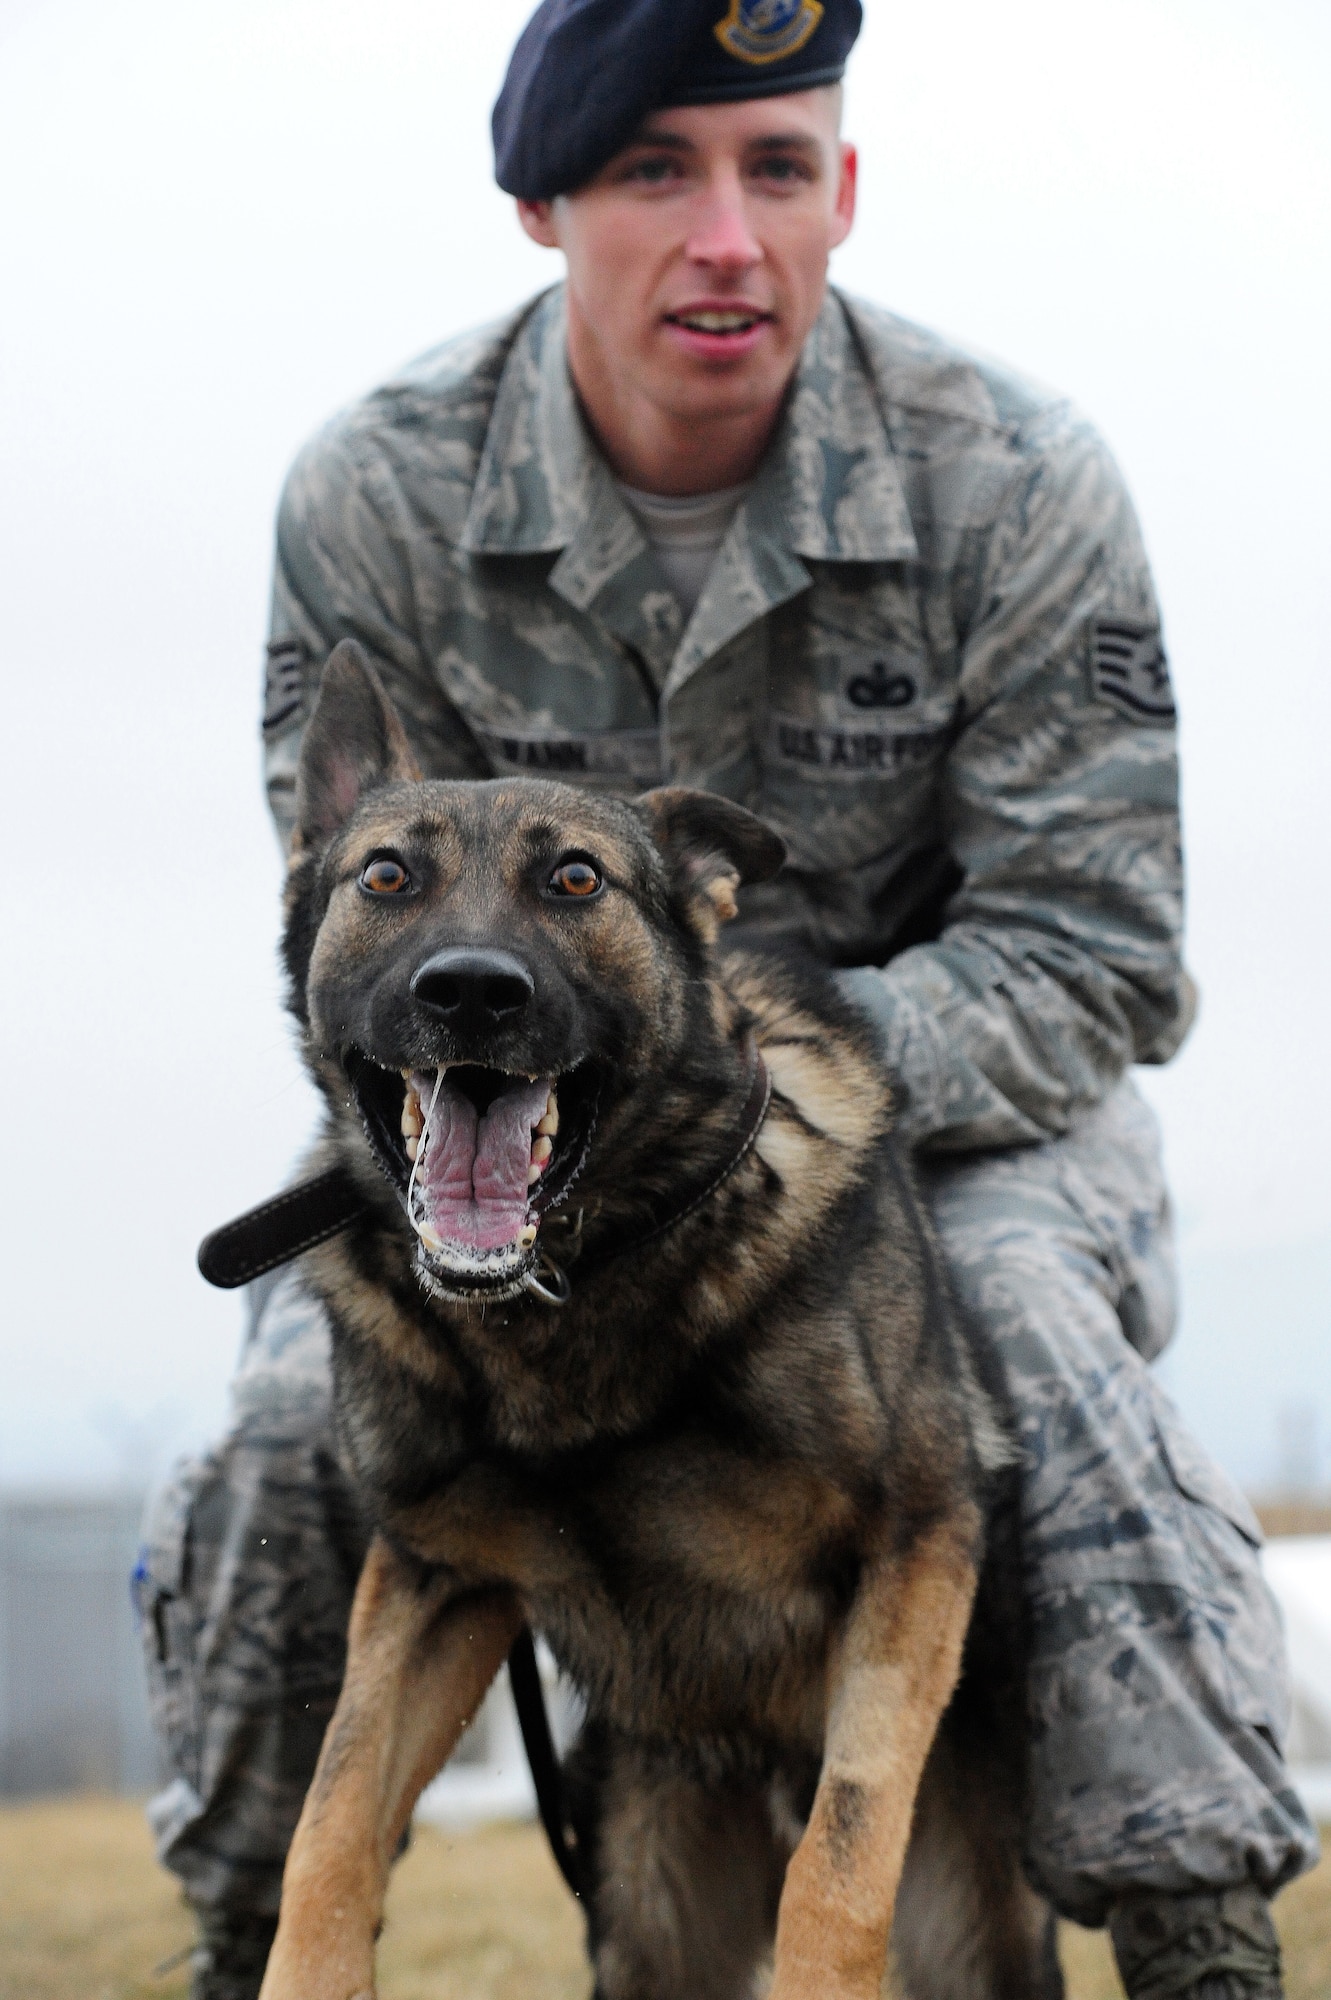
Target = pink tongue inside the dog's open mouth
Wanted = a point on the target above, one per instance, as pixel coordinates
(475, 1171)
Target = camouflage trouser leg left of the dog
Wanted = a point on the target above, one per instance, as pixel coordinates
(245, 1589)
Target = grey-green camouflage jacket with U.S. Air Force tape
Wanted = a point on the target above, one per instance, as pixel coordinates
(928, 655)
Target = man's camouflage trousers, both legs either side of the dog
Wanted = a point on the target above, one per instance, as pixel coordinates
(1158, 1689)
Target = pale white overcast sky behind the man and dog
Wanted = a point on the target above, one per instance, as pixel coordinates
(221, 223)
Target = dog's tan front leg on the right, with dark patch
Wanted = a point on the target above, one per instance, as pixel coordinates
(890, 1679)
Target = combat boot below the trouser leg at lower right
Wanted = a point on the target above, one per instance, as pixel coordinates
(1206, 1945)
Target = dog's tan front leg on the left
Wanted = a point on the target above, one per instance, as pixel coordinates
(419, 1665)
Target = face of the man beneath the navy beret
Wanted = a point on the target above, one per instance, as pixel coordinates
(698, 257)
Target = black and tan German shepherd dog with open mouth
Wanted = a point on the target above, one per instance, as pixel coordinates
(641, 1341)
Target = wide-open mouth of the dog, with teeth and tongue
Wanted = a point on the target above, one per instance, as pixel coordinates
(481, 1157)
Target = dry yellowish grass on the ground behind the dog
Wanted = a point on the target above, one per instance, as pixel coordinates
(87, 1915)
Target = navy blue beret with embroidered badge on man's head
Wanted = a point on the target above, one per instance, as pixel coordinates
(587, 73)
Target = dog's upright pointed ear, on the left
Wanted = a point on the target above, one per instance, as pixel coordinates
(353, 743)
